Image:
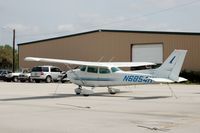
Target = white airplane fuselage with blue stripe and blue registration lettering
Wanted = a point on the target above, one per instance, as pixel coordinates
(118, 78)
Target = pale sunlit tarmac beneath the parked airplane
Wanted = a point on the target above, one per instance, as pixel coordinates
(54, 108)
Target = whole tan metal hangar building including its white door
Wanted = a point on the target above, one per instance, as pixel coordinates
(114, 45)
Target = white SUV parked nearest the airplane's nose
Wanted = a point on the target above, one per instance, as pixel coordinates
(45, 73)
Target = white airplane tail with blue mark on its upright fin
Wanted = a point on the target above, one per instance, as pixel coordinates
(171, 68)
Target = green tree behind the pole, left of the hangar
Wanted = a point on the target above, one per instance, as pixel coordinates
(6, 57)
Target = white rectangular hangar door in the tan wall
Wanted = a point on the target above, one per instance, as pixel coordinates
(147, 53)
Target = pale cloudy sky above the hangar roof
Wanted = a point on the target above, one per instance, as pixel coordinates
(41, 19)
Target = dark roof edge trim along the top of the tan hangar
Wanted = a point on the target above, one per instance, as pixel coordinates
(124, 31)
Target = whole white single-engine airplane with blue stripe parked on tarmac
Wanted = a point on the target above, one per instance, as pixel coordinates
(108, 74)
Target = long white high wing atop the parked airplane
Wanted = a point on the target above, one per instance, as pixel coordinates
(86, 63)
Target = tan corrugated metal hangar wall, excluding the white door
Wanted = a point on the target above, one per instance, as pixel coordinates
(110, 45)
